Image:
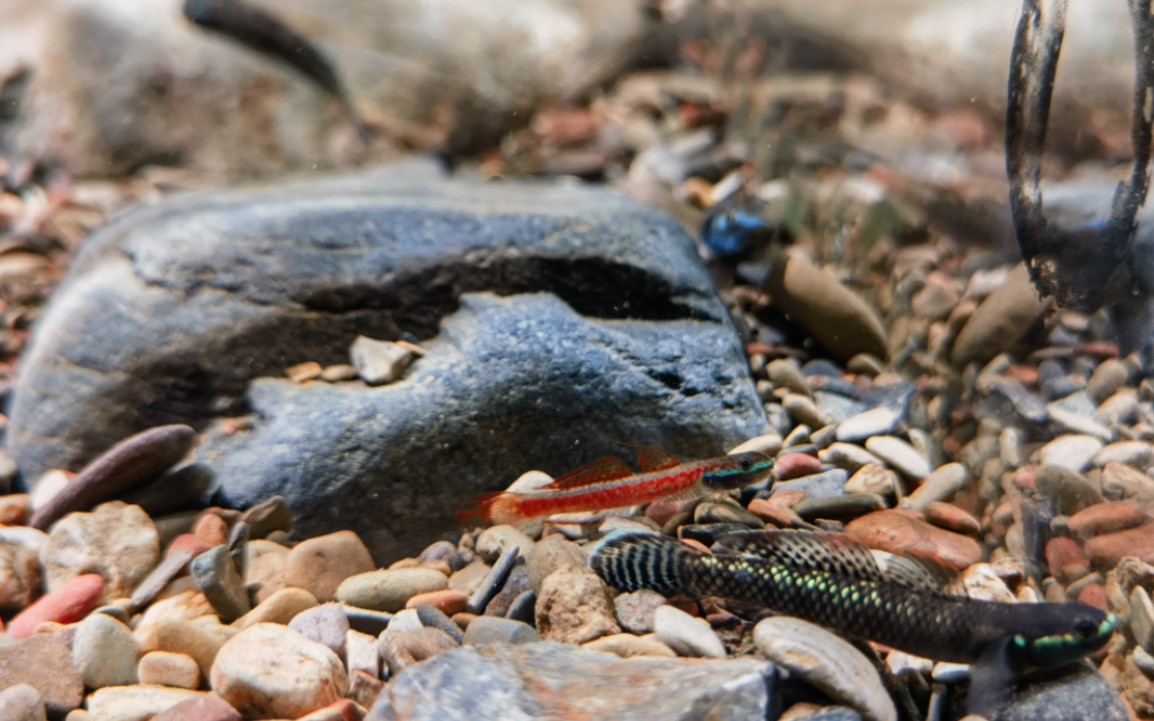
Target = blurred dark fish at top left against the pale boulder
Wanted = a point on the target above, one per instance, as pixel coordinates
(265, 34)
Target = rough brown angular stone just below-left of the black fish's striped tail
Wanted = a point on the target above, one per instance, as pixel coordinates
(574, 607)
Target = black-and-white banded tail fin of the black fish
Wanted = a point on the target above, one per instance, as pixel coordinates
(632, 560)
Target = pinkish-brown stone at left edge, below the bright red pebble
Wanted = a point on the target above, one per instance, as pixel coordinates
(43, 663)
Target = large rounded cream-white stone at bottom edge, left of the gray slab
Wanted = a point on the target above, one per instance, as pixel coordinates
(271, 671)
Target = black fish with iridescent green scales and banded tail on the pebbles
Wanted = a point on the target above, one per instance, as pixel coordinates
(830, 581)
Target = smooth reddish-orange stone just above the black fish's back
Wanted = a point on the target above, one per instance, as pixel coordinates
(904, 534)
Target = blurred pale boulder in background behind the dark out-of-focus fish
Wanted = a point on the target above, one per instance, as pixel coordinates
(103, 87)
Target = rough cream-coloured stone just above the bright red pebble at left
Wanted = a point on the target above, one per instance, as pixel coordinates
(117, 542)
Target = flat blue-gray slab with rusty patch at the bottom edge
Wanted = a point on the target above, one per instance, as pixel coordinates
(552, 681)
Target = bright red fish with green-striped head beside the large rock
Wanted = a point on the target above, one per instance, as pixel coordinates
(609, 484)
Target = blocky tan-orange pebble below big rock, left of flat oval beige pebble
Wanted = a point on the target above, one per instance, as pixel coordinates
(321, 565)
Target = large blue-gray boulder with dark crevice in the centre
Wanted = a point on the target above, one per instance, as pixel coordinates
(558, 319)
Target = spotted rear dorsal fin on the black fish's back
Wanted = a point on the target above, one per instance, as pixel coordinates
(807, 551)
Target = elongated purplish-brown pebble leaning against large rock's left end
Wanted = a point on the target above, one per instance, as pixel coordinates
(128, 464)
